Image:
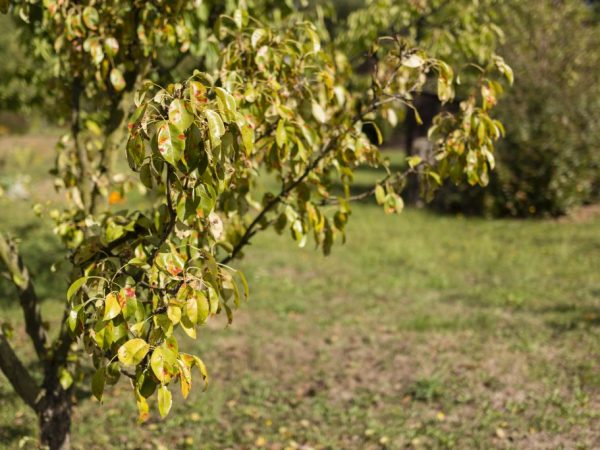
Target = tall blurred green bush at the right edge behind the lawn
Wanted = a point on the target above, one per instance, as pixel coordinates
(549, 161)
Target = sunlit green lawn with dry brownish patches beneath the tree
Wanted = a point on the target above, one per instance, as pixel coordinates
(423, 331)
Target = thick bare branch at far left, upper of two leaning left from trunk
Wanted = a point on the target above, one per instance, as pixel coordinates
(19, 274)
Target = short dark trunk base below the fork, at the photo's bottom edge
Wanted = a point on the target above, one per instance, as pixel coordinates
(54, 413)
